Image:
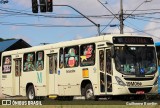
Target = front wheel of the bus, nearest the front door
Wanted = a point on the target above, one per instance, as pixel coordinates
(89, 94)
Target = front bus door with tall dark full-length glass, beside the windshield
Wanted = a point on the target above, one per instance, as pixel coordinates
(105, 67)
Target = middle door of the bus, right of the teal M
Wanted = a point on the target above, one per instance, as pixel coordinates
(52, 73)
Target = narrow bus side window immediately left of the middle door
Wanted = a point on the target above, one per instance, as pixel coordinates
(39, 60)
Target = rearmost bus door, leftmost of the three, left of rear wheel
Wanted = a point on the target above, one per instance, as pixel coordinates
(17, 74)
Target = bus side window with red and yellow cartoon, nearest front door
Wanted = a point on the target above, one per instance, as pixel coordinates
(87, 54)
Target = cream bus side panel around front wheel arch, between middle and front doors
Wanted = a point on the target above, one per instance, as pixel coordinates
(70, 79)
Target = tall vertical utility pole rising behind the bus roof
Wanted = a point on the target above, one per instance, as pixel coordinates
(121, 17)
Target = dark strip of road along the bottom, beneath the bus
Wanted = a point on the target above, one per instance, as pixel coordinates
(101, 101)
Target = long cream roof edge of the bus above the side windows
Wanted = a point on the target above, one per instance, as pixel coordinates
(71, 43)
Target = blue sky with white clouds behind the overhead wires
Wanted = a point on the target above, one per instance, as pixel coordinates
(18, 21)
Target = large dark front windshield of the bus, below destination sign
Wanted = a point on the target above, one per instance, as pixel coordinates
(135, 60)
